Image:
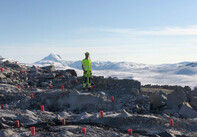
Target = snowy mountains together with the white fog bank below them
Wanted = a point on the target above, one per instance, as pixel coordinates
(183, 73)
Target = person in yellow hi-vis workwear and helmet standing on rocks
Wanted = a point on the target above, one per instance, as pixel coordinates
(87, 71)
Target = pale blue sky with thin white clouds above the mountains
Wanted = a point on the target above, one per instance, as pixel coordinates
(142, 31)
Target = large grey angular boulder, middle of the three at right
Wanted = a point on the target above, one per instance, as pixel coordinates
(176, 98)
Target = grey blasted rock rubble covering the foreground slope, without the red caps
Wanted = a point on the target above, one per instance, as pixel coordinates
(130, 109)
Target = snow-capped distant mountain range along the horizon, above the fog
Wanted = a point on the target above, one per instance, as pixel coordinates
(108, 65)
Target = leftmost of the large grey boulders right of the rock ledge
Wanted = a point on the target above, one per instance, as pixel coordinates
(158, 99)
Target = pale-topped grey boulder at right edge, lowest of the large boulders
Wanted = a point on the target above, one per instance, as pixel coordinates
(187, 111)
